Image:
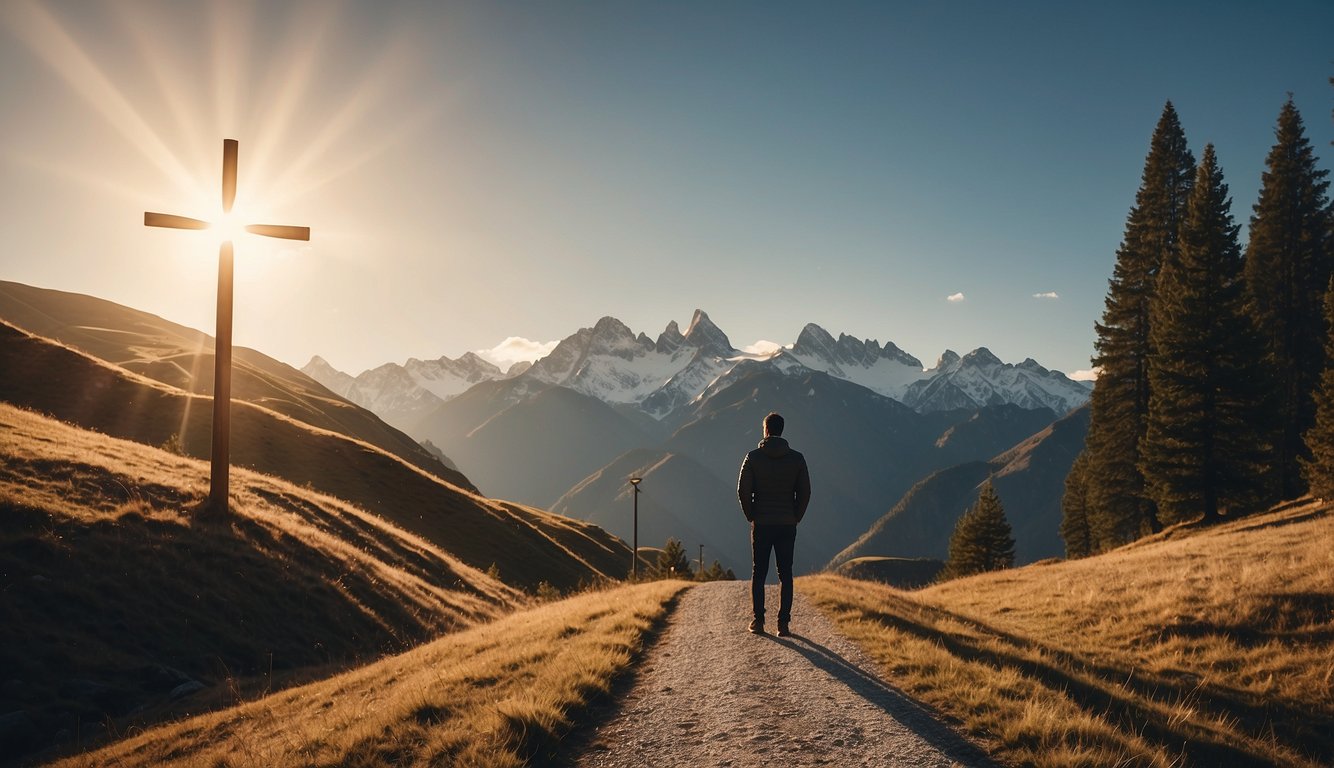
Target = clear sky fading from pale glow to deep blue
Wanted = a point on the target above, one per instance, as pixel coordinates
(474, 171)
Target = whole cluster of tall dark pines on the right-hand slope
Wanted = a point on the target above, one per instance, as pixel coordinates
(1216, 385)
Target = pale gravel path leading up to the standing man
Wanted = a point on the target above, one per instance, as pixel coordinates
(712, 694)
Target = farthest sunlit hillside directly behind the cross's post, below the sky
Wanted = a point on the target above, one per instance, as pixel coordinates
(183, 358)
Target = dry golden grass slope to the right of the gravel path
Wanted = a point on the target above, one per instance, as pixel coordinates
(1200, 647)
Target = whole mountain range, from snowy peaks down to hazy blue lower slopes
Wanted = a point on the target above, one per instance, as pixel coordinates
(681, 410)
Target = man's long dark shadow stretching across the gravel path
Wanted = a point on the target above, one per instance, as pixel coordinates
(913, 715)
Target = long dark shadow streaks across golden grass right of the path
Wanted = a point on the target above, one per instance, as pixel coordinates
(1127, 697)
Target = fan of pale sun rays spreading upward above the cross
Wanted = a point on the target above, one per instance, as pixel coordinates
(255, 73)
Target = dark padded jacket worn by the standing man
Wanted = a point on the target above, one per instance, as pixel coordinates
(774, 487)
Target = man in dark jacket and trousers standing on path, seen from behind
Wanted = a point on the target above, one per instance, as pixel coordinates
(774, 490)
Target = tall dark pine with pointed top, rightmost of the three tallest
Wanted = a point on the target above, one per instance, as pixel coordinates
(1289, 261)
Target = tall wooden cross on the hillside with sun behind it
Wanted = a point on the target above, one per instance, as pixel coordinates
(219, 478)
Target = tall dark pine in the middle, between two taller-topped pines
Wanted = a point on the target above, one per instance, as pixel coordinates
(1204, 449)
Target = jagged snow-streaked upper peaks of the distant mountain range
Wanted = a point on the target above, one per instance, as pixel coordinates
(662, 377)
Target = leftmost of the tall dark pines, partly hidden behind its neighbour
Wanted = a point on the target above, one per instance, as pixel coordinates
(1119, 507)
